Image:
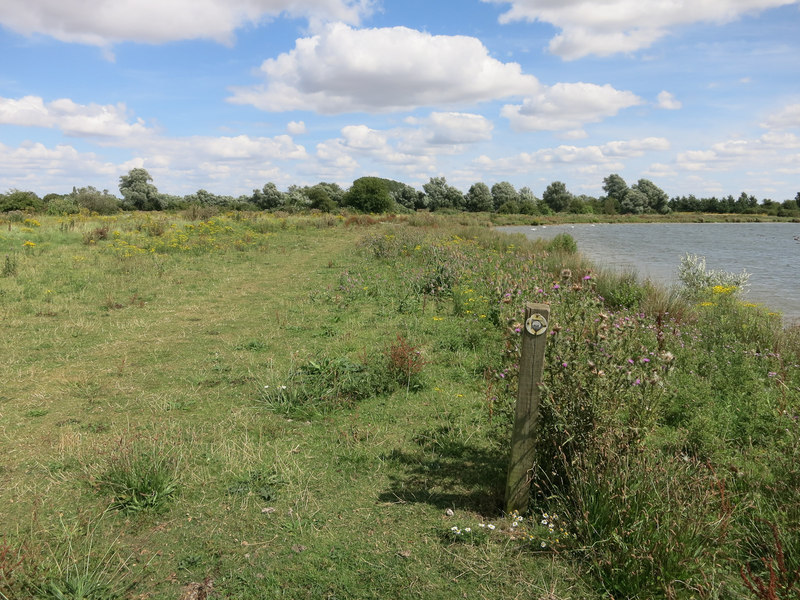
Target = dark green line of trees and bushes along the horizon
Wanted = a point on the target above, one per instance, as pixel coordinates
(378, 195)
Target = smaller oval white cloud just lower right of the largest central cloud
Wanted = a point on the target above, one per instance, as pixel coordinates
(568, 106)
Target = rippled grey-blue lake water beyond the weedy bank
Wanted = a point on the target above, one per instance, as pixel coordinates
(770, 252)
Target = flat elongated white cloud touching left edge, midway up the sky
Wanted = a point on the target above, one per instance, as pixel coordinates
(77, 120)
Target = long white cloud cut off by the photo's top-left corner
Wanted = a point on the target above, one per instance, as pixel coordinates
(104, 22)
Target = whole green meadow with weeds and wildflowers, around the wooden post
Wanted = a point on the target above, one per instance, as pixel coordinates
(259, 405)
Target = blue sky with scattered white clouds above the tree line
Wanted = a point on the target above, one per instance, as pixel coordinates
(699, 96)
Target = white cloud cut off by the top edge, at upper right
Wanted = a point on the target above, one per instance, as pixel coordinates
(612, 26)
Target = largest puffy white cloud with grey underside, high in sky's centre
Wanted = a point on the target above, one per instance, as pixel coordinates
(343, 69)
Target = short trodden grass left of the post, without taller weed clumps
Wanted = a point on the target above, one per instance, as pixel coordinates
(103, 353)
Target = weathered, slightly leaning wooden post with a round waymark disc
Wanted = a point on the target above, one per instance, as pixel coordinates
(526, 417)
